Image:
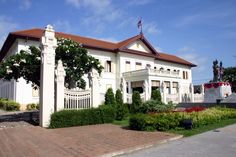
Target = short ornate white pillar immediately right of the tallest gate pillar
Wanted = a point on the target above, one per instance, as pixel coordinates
(60, 80)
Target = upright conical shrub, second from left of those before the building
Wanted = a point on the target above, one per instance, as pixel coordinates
(121, 110)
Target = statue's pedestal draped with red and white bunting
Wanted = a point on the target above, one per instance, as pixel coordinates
(216, 91)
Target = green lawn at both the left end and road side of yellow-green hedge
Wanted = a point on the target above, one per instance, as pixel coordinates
(186, 133)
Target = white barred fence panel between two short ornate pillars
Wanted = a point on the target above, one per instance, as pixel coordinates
(75, 99)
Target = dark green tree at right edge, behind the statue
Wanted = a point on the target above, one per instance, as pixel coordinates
(230, 76)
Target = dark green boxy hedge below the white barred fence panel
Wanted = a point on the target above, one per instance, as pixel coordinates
(69, 118)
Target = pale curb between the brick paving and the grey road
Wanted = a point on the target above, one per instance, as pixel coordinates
(141, 147)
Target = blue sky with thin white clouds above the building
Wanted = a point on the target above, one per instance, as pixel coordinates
(197, 30)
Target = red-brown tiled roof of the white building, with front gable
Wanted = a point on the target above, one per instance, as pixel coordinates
(36, 34)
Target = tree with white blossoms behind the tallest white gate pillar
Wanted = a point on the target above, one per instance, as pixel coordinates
(75, 59)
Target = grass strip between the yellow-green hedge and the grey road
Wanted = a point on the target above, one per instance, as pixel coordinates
(202, 129)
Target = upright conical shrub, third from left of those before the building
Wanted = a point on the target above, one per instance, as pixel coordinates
(136, 102)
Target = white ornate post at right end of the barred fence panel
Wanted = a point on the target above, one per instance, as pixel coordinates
(94, 85)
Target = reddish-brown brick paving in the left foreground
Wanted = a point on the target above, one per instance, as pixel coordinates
(85, 141)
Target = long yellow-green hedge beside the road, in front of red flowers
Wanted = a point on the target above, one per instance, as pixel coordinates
(167, 121)
